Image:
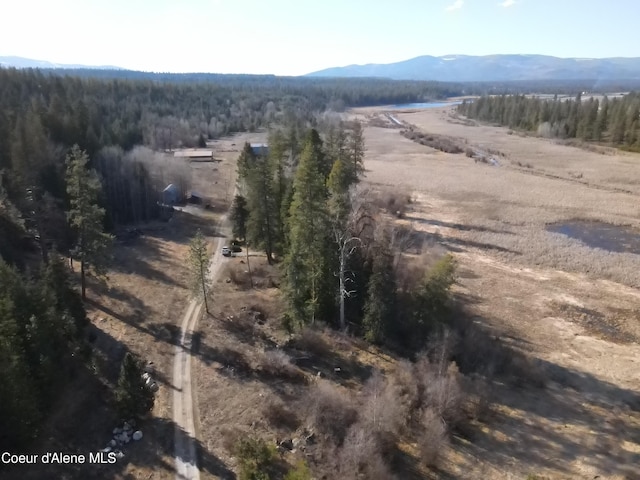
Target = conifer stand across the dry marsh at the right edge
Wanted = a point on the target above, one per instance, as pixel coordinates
(614, 121)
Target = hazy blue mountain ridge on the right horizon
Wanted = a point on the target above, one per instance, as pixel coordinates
(465, 68)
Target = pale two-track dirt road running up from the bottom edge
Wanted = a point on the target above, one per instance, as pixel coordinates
(183, 395)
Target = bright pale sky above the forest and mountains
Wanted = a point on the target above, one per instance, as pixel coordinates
(295, 37)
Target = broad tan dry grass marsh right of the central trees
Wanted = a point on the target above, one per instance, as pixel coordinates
(574, 309)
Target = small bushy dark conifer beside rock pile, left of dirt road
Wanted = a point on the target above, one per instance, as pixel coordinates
(133, 398)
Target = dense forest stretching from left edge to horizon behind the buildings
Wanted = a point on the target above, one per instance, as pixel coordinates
(112, 115)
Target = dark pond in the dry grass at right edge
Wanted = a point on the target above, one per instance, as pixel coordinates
(613, 238)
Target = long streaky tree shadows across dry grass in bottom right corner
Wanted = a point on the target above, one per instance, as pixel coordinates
(539, 407)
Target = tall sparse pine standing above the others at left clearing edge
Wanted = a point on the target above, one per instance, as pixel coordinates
(85, 216)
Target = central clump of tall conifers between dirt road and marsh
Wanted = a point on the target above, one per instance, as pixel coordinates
(342, 262)
